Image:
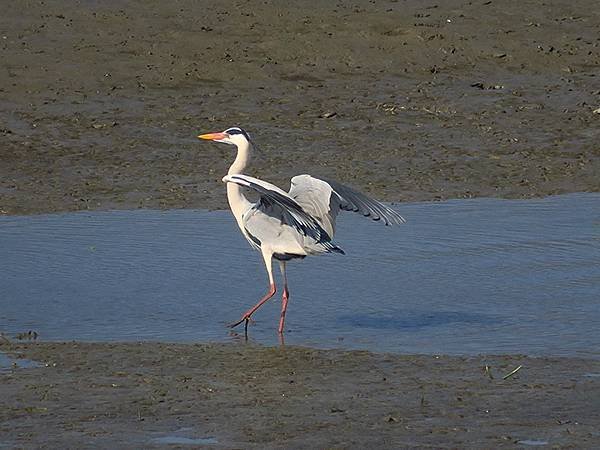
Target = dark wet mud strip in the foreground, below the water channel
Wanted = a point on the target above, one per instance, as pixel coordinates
(245, 396)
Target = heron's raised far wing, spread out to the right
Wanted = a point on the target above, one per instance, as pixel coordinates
(324, 198)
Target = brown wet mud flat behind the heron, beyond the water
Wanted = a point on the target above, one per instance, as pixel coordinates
(100, 102)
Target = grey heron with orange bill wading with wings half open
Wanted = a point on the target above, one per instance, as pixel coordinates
(289, 225)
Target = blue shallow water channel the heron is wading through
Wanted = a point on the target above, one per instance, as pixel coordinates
(461, 277)
